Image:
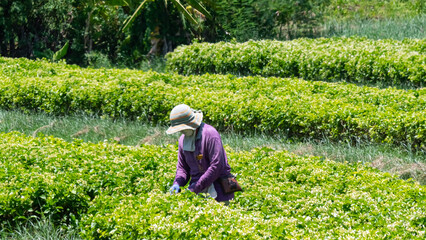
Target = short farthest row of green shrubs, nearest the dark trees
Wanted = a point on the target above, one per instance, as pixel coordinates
(387, 62)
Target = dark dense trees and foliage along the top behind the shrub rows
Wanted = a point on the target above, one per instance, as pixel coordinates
(37, 29)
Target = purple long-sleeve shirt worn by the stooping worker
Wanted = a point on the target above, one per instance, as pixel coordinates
(206, 164)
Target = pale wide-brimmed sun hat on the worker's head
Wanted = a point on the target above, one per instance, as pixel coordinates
(183, 117)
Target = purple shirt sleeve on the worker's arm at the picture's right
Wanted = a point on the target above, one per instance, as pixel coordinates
(217, 164)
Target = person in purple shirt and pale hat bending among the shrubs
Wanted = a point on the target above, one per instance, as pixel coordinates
(201, 157)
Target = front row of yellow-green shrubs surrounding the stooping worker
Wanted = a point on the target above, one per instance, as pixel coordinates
(119, 192)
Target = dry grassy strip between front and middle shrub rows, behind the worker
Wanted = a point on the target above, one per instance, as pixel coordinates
(398, 160)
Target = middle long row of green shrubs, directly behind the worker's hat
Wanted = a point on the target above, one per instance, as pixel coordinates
(293, 107)
